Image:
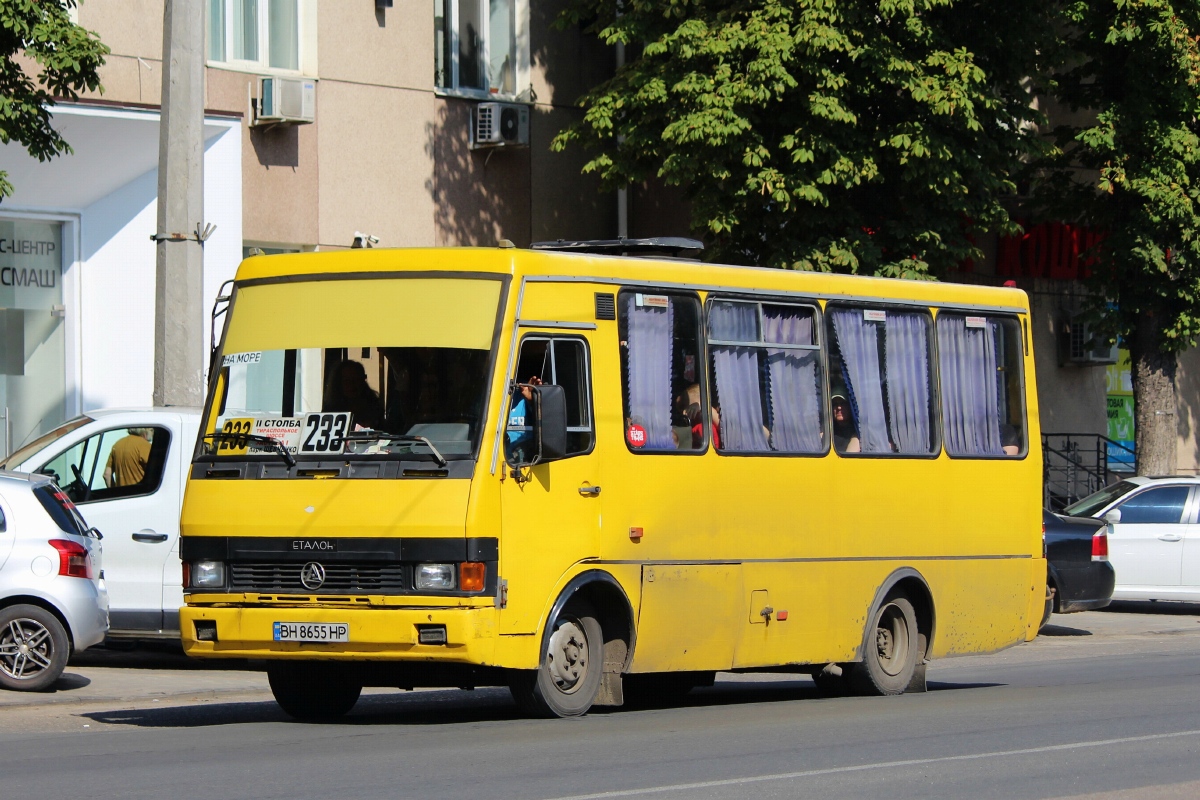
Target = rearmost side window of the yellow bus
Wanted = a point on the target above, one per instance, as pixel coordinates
(982, 386)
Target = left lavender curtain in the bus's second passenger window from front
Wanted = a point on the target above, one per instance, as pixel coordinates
(737, 376)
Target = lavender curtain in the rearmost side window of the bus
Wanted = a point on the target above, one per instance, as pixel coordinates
(968, 360)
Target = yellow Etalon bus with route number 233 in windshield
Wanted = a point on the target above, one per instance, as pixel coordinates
(591, 477)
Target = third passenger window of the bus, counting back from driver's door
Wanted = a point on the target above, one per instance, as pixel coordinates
(881, 390)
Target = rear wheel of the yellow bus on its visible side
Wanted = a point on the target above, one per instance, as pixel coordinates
(891, 649)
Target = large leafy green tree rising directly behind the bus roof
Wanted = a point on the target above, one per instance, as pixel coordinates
(821, 135)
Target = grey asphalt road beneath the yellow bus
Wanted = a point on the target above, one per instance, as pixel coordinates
(1105, 706)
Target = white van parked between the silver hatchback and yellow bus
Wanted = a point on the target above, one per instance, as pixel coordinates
(139, 515)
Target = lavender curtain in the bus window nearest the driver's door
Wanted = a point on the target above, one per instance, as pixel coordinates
(650, 371)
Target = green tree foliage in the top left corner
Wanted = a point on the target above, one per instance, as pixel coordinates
(39, 37)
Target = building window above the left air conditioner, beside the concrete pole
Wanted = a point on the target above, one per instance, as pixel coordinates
(255, 33)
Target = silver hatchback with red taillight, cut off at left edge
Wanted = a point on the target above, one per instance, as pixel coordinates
(52, 593)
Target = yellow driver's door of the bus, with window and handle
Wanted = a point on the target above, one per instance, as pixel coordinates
(550, 513)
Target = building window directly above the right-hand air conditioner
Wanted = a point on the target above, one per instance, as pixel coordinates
(482, 46)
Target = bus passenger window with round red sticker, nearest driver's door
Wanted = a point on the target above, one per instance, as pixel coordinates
(665, 404)
